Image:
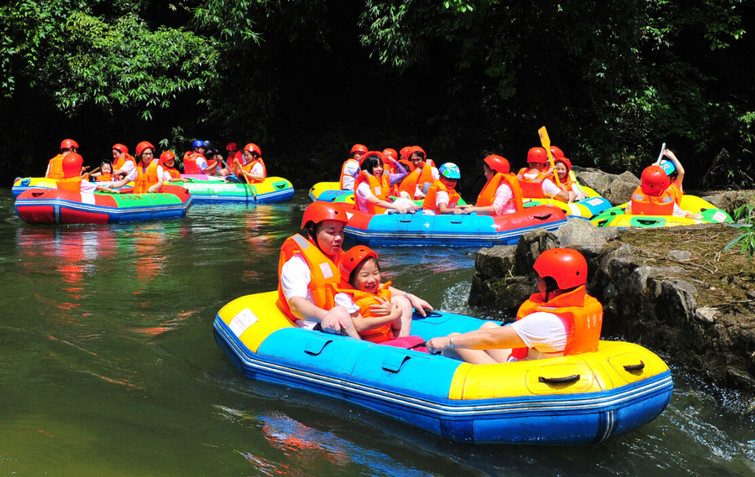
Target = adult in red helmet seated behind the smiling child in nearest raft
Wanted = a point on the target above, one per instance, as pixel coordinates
(308, 275)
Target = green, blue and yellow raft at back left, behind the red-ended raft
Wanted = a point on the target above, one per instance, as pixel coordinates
(214, 189)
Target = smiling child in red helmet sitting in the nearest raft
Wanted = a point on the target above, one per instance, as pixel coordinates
(381, 317)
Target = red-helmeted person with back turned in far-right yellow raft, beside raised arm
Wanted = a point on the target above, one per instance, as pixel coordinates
(653, 196)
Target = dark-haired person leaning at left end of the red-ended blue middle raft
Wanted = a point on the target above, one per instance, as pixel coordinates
(372, 188)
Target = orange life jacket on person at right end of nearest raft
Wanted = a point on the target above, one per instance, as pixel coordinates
(583, 312)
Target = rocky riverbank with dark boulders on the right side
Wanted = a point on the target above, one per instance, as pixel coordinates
(673, 290)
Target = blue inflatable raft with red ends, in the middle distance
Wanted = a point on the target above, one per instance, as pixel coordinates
(450, 230)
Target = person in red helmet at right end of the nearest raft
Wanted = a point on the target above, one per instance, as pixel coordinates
(562, 319)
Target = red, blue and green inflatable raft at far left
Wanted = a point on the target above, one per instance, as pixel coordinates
(53, 206)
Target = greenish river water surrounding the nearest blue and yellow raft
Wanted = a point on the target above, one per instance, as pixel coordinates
(108, 366)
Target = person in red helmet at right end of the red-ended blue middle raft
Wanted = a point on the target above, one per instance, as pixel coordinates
(501, 193)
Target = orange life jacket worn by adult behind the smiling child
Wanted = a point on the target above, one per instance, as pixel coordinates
(324, 275)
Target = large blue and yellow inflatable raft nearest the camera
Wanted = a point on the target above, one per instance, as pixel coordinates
(582, 399)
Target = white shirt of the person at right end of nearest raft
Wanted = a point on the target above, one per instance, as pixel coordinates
(545, 334)
